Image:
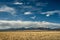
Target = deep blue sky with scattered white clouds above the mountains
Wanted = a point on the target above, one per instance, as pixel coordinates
(29, 13)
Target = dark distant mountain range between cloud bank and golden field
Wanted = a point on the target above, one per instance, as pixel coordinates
(40, 28)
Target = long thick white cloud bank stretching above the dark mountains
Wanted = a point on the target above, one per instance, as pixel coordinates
(5, 24)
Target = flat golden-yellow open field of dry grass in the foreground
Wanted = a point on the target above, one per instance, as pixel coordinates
(30, 35)
